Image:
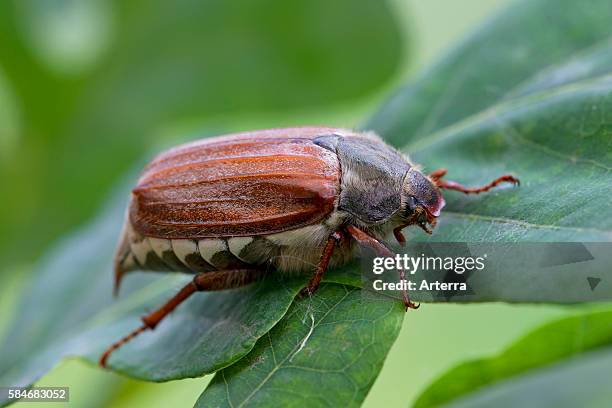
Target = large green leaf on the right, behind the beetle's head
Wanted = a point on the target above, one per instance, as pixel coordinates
(536, 103)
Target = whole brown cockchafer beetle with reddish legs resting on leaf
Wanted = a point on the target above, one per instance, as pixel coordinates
(229, 207)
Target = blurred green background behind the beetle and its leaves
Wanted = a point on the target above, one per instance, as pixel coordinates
(90, 88)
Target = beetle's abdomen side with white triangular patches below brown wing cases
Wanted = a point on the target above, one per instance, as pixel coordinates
(295, 250)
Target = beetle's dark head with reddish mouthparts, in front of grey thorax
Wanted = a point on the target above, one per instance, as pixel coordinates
(422, 200)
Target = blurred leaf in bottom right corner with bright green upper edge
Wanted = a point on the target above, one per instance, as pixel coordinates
(563, 363)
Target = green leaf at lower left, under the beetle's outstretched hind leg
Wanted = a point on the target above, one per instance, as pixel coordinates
(74, 315)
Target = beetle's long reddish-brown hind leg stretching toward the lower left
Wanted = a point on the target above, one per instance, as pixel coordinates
(207, 281)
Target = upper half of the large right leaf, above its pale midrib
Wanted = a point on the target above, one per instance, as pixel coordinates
(525, 40)
